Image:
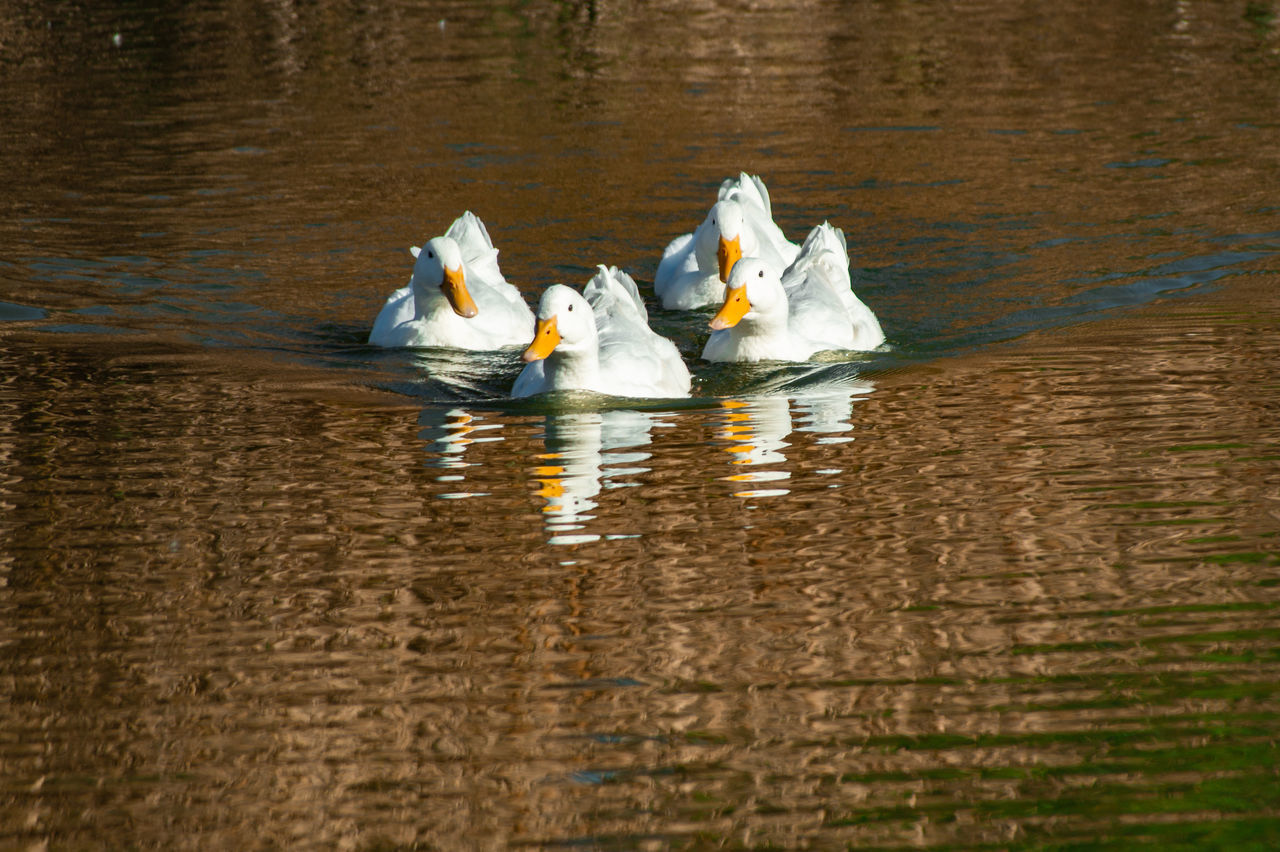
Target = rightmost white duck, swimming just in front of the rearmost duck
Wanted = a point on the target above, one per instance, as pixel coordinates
(811, 309)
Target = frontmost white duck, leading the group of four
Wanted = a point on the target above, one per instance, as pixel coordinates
(601, 341)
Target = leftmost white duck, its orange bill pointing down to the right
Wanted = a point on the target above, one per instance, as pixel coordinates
(456, 297)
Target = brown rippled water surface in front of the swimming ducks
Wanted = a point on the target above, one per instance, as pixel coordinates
(268, 626)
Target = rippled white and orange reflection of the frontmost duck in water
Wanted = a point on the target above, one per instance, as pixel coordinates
(582, 459)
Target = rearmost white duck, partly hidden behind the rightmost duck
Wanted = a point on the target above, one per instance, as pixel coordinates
(740, 225)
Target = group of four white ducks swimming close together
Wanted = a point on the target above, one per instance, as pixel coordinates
(778, 303)
